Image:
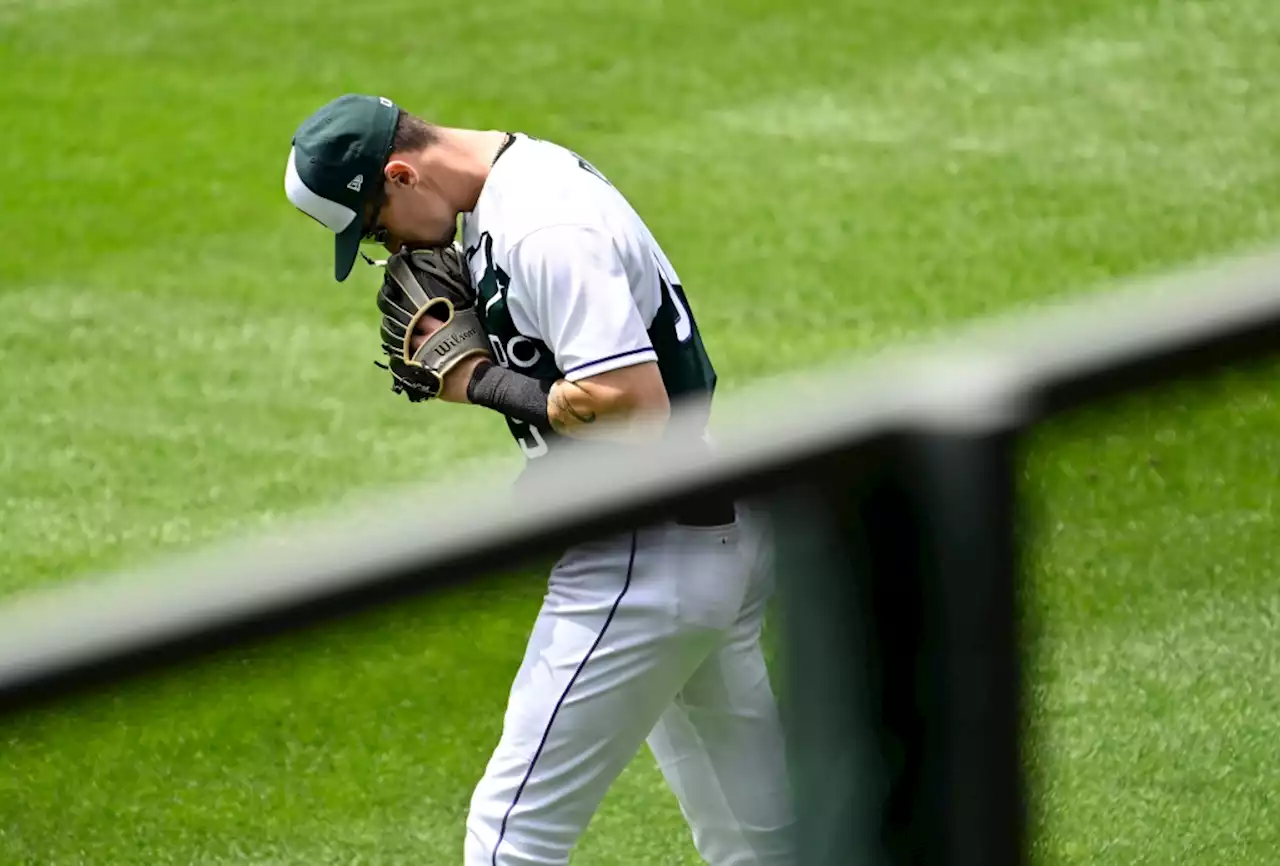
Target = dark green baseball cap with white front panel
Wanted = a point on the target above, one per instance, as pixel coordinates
(336, 167)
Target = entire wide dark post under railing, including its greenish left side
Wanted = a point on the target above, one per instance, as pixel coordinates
(903, 685)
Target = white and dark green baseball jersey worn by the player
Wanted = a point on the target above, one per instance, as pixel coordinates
(572, 282)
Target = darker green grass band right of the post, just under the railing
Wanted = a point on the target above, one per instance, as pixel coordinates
(1155, 498)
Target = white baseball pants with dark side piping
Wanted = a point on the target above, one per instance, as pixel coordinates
(651, 636)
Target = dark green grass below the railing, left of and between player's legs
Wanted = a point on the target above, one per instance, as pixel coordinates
(321, 749)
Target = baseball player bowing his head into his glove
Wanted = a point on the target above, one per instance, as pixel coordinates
(560, 311)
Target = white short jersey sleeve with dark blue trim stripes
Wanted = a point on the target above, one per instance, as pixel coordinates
(572, 291)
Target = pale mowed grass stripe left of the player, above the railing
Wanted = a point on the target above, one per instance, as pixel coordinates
(203, 421)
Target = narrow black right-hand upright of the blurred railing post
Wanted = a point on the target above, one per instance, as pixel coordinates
(973, 789)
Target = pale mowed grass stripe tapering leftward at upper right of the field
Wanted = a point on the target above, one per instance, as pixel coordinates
(1087, 107)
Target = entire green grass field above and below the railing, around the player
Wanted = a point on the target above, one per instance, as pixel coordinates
(177, 368)
